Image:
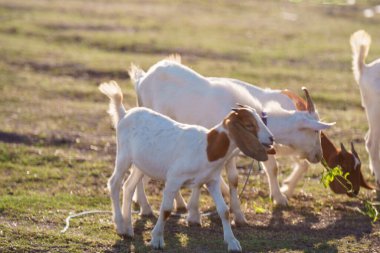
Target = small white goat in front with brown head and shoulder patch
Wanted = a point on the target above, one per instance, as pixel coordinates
(180, 154)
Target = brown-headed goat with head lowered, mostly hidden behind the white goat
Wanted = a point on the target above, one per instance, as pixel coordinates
(349, 162)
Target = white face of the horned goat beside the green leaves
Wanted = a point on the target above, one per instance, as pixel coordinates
(307, 141)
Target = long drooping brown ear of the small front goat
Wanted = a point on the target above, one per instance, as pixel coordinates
(247, 142)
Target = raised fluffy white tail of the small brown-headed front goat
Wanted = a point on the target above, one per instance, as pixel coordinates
(116, 107)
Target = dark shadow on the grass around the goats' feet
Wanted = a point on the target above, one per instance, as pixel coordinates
(287, 228)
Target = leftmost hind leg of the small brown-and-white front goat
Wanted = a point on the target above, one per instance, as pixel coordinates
(122, 165)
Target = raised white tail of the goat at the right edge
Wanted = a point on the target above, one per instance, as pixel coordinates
(360, 42)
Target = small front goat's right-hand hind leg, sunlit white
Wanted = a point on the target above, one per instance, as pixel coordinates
(128, 190)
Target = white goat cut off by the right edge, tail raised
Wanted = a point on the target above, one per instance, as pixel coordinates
(368, 78)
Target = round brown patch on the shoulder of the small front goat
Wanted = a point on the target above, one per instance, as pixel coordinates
(217, 145)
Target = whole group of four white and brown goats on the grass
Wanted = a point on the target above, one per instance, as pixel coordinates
(262, 123)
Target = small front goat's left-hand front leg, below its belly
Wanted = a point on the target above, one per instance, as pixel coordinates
(170, 191)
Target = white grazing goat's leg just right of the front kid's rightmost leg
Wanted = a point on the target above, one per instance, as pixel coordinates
(233, 178)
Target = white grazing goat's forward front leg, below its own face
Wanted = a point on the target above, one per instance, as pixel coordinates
(271, 170)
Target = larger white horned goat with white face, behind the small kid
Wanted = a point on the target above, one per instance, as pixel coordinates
(184, 95)
